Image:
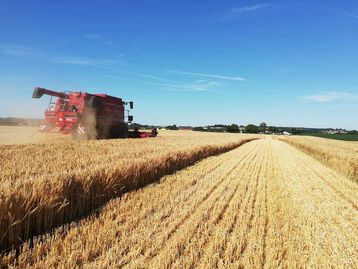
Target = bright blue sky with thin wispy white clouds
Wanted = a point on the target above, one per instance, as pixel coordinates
(288, 63)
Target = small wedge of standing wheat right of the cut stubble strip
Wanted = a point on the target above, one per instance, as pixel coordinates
(341, 156)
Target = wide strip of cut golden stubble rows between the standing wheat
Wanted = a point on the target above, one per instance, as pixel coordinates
(262, 205)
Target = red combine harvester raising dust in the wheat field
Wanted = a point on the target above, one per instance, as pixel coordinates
(88, 116)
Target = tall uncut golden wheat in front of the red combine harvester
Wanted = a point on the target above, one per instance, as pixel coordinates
(44, 186)
